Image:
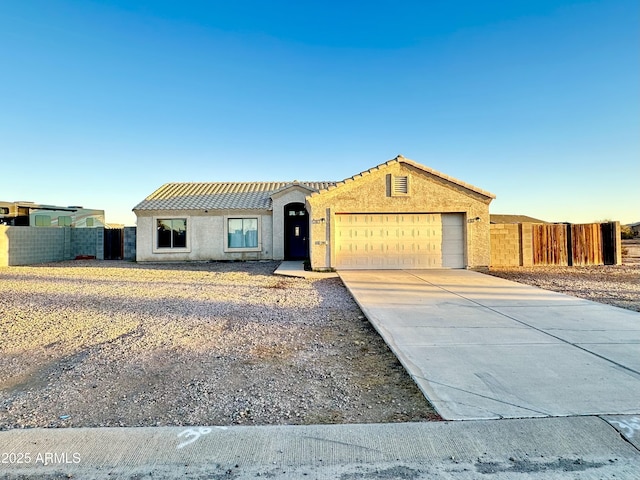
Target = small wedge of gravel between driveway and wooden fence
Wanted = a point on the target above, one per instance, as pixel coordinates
(617, 285)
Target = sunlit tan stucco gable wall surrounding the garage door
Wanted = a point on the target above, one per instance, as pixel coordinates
(427, 193)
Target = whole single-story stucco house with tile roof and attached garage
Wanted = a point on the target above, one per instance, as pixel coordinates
(399, 214)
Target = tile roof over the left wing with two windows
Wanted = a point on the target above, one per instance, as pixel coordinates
(219, 195)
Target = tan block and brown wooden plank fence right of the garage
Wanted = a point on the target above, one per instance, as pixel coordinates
(556, 244)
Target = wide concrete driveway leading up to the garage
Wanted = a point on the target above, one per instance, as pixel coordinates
(482, 347)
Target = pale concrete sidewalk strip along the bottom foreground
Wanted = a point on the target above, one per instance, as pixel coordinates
(549, 448)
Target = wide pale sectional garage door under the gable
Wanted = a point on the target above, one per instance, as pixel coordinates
(397, 241)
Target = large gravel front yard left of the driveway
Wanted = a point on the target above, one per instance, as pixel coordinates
(89, 343)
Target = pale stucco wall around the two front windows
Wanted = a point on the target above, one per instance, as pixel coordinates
(205, 236)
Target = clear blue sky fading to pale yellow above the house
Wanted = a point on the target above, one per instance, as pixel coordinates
(536, 101)
